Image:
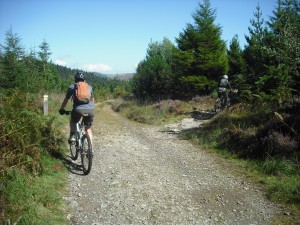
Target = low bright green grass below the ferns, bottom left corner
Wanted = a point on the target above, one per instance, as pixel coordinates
(36, 199)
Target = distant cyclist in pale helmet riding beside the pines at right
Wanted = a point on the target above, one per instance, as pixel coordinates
(223, 100)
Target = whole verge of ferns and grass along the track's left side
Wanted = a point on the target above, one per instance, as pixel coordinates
(32, 175)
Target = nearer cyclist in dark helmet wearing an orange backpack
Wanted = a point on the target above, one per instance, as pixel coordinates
(80, 107)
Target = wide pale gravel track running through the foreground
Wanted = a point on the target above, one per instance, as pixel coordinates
(143, 176)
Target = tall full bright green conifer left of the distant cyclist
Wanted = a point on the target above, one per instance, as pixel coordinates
(202, 56)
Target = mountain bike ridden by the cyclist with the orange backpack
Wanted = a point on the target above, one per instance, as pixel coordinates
(82, 145)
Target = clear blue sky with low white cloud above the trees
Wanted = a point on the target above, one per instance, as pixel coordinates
(112, 36)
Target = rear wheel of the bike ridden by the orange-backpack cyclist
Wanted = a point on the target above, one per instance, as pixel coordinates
(86, 154)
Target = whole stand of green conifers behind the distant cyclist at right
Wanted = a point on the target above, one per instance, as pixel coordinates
(266, 69)
